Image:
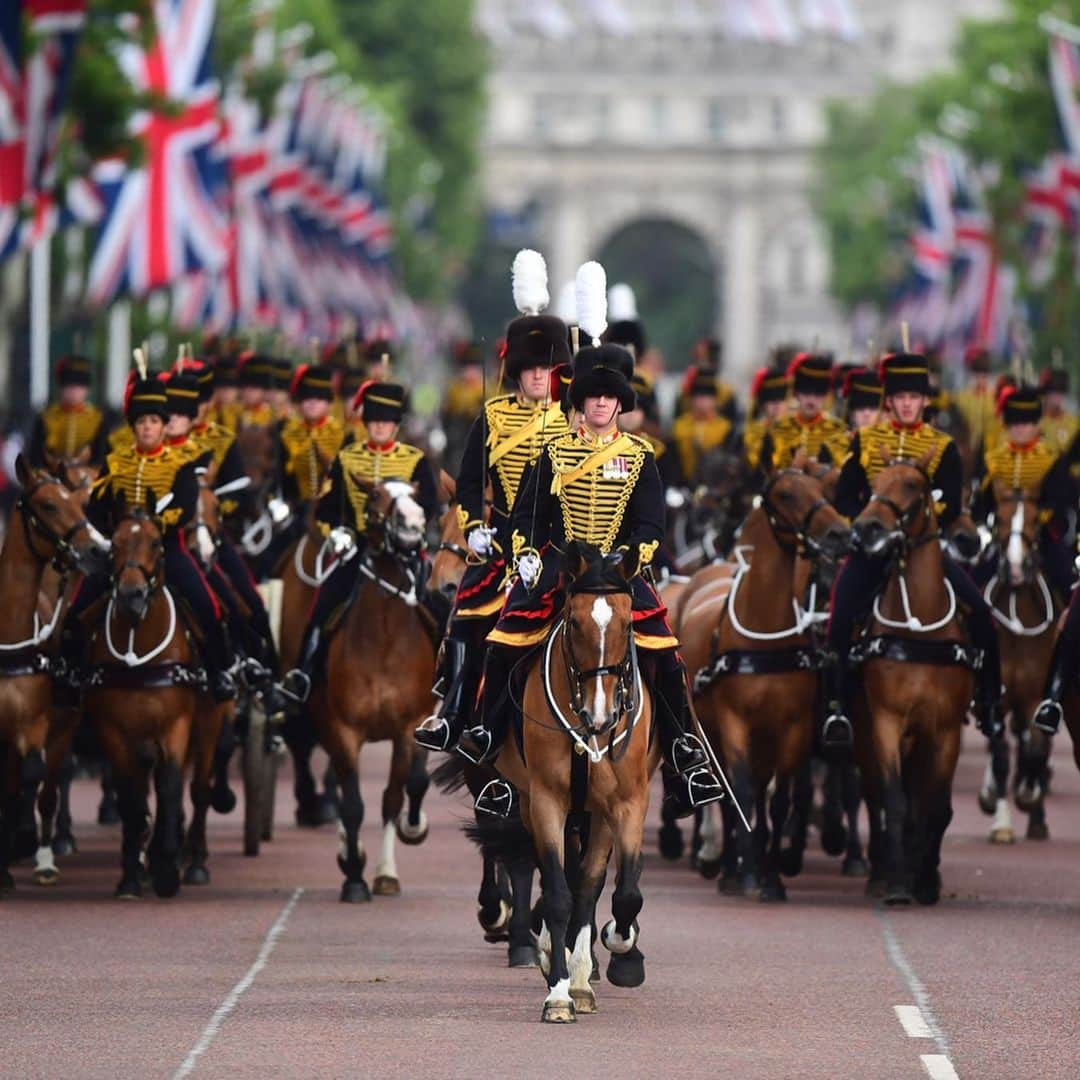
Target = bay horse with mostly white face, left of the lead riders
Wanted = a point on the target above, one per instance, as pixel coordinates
(381, 665)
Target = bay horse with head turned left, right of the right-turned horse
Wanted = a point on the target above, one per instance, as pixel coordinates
(917, 682)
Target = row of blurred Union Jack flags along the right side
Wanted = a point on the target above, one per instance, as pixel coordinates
(958, 293)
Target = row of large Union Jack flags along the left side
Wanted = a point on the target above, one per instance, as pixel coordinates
(250, 221)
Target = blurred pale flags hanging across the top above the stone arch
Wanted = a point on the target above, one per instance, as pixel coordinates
(776, 22)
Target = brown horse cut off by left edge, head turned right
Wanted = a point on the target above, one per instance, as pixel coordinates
(49, 526)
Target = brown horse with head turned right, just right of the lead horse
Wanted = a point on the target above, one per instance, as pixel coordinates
(749, 641)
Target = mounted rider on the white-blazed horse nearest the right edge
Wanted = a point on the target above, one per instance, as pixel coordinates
(1024, 463)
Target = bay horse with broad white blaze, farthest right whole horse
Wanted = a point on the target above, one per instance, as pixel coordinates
(1025, 612)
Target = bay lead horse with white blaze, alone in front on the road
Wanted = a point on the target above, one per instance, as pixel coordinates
(583, 688)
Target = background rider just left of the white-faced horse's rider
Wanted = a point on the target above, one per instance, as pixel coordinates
(309, 442)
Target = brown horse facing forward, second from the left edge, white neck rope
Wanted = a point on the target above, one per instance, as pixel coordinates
(150, 711)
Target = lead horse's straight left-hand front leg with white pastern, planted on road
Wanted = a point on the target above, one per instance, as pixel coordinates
(548, 817)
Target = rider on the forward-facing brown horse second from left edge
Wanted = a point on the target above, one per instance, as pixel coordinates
(152, 467)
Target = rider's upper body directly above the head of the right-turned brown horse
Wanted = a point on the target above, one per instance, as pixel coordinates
(809, 429)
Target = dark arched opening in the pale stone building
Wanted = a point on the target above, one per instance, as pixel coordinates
(676, 278)
